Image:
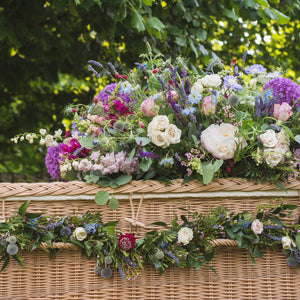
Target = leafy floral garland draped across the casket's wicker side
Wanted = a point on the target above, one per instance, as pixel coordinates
(183, 244)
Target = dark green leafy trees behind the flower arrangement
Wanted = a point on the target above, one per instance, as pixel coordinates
(45, 46)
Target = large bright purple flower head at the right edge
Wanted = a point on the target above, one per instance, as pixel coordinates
(284, 89)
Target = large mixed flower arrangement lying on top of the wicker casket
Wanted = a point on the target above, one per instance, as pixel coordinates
(164, 121)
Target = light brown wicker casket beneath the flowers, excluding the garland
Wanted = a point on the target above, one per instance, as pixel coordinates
(71, 275)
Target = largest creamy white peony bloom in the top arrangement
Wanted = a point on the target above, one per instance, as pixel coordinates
(222, 140)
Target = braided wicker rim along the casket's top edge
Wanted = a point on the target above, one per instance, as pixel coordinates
(150, 186)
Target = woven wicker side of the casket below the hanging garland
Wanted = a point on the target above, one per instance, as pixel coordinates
(71, 276)
